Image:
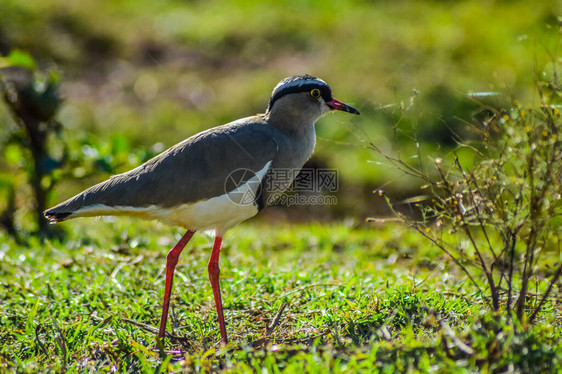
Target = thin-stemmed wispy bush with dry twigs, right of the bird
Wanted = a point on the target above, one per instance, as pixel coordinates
(494, 205)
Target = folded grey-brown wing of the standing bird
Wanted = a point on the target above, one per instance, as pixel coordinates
(193, 170)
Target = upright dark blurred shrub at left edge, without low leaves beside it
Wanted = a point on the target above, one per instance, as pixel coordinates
(33, 101)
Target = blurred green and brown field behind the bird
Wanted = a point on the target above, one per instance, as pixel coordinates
(139, 76)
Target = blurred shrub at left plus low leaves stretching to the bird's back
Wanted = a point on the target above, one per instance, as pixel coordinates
(36, 153)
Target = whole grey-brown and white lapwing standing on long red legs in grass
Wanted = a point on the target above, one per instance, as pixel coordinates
(217, 178)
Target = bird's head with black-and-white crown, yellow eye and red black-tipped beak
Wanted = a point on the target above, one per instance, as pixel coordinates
(304, 98)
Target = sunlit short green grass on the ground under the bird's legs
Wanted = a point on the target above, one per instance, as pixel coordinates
(356, 298)
